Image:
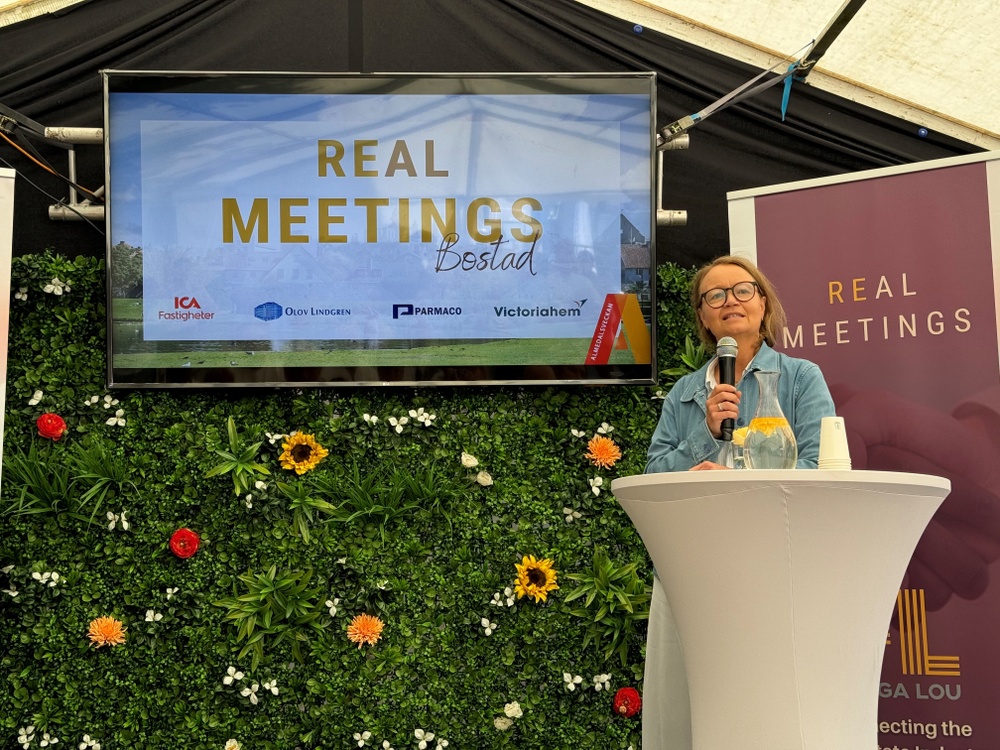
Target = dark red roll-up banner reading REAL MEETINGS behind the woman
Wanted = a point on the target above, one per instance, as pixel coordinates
(888, 285)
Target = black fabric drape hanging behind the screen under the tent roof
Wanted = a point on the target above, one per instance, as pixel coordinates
(49, 72)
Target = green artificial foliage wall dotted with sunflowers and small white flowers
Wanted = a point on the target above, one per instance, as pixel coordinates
(405, 534)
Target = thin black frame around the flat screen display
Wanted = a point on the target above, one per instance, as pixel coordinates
(223, 82)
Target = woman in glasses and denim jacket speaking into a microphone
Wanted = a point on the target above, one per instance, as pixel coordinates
(731, 297)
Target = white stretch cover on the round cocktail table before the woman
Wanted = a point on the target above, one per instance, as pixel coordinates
(782, 585)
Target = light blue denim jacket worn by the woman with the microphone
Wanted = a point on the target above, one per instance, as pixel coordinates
(682, 438)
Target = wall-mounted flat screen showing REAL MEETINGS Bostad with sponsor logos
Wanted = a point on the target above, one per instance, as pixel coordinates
(289, 229)
